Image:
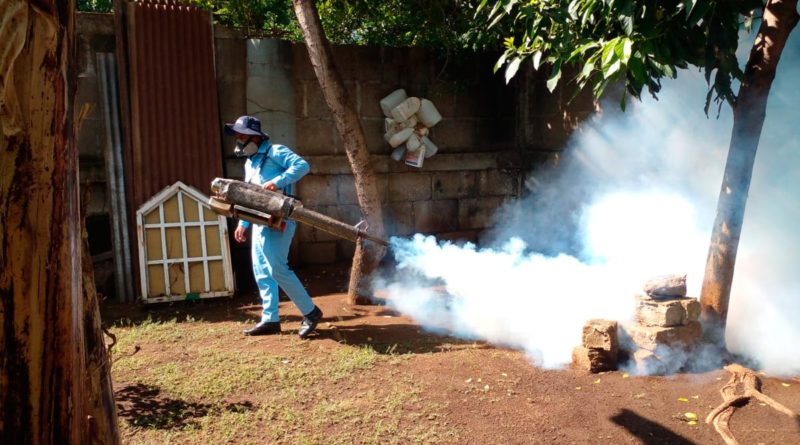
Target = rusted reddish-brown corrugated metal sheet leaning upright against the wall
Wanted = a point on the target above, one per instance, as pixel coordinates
(174, 114)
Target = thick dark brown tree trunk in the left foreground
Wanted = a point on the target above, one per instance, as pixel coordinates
(41, 340)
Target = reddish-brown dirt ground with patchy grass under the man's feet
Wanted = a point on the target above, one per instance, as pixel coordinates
(374, 376)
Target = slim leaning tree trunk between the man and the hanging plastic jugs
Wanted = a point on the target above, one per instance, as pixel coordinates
(368, 254)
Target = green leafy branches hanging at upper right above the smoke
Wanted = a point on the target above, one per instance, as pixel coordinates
(638, 42)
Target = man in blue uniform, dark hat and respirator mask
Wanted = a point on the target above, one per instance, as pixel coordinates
(276, 168)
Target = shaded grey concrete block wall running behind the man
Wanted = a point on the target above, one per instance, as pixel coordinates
(491, 134)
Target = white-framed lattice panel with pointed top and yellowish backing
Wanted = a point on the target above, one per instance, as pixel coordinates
(183, 247)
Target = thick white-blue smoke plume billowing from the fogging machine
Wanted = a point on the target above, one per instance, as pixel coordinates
(633, 196)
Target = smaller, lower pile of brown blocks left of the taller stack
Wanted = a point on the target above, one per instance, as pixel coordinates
(600, 347)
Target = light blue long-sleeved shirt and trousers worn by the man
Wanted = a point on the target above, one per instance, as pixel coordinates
(270, 247)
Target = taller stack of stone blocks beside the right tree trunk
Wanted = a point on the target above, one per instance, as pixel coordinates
(667, 326)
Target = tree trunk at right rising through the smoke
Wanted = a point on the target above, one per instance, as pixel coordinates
(779, 18)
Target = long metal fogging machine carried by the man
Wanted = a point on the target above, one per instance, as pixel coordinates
(250, 202)
